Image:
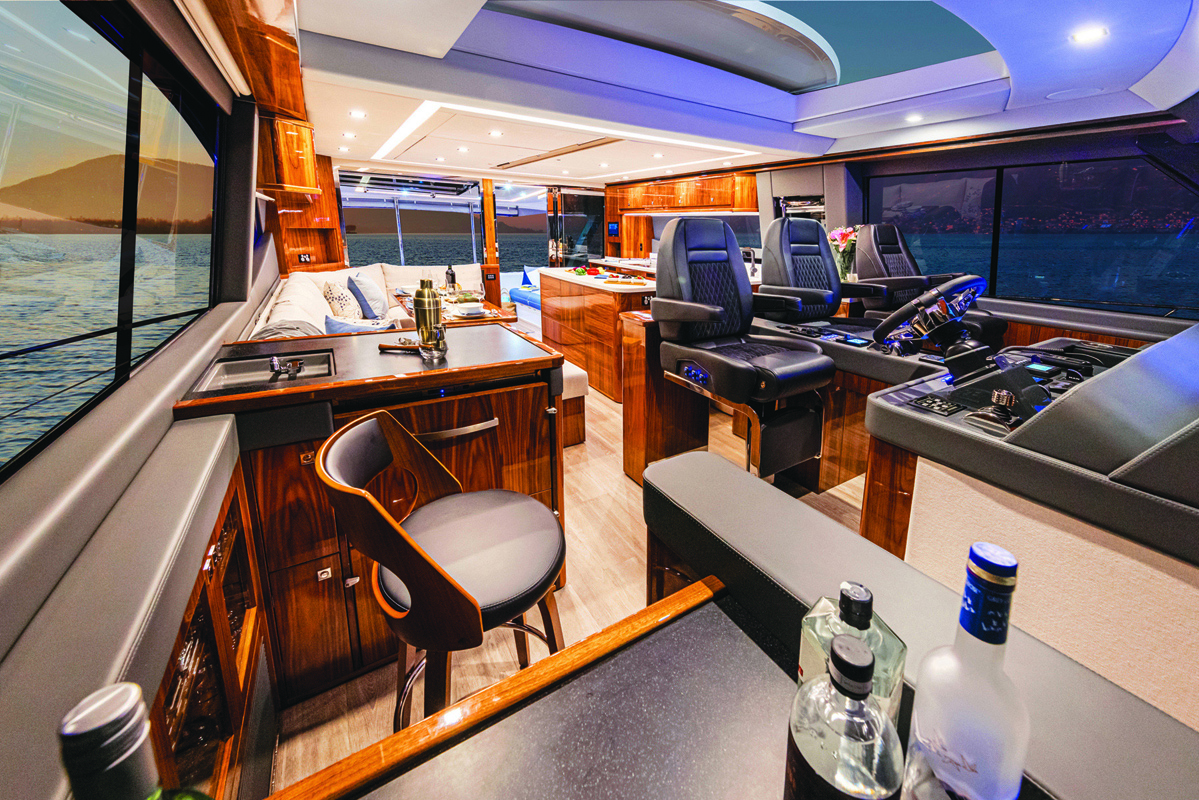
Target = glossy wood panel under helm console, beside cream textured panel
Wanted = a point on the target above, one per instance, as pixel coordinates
(887, 508)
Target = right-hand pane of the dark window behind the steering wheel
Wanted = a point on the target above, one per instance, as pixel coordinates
(1113, 234)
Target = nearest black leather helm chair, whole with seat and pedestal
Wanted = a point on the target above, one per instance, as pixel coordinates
(704, 309)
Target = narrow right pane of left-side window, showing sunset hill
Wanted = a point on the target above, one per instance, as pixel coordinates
(173, 261)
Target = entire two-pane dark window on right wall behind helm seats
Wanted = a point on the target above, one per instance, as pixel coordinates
(1116, 234)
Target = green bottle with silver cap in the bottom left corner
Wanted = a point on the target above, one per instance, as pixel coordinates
(107, 753)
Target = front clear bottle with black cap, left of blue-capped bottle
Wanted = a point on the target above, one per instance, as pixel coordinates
(842, 744)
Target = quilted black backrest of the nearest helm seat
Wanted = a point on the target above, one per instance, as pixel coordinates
(700, 261)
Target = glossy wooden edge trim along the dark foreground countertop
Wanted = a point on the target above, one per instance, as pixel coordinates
(389, 757)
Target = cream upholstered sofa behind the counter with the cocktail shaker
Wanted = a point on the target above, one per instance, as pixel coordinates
(299, 306)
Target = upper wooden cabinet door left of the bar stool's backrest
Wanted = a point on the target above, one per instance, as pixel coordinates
(298, 521)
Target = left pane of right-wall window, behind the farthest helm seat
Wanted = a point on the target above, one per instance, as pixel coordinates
(948, 219)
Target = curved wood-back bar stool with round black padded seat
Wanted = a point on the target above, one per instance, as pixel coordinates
(461, 563)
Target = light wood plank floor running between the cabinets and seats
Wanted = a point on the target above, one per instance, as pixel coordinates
(606, 584)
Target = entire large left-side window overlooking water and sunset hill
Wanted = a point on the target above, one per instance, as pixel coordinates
(107, 178)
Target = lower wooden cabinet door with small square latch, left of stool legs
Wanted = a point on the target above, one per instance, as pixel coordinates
(311, 627)
